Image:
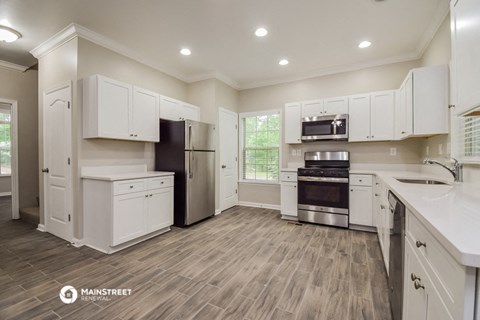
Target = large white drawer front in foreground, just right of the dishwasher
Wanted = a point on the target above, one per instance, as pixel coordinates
(448, 276)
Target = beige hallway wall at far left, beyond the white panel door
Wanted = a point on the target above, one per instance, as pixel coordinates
(22, 87)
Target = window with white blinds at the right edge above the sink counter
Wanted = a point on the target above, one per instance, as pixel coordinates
(468, 138)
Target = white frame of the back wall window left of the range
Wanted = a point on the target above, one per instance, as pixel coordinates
(241, 144)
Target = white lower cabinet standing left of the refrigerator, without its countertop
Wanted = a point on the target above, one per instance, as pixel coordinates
(118, 214)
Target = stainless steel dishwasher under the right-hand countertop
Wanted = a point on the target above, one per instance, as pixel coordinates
(397, 254)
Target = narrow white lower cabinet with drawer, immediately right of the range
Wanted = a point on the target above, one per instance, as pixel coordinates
(361, 202)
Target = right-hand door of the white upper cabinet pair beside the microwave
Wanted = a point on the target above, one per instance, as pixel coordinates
(381, 115)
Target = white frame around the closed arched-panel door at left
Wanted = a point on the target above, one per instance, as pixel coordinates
(69, 205)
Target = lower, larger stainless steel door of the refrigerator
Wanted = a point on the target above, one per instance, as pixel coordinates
(200, 182)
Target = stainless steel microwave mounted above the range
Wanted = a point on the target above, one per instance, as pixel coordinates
(325, 128)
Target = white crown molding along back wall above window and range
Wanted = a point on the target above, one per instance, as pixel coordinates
(329, 71)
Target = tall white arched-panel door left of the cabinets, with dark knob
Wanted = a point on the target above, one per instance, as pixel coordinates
(57, 147)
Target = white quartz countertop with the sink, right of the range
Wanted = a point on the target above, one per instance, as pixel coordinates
(450, 212)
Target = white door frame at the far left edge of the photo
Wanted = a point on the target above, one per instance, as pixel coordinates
(14, 155)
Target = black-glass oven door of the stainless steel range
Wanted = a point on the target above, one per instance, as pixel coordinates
(323, 194)
